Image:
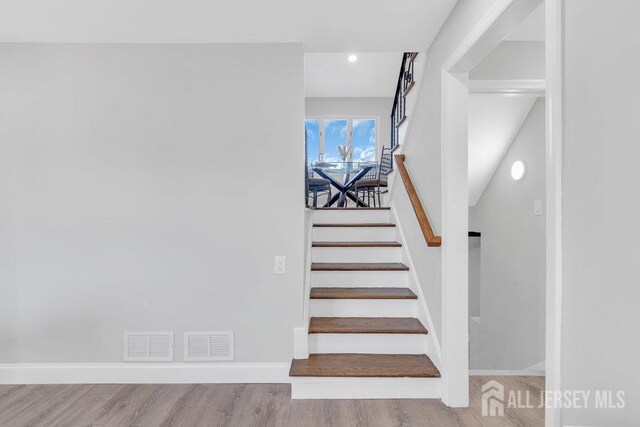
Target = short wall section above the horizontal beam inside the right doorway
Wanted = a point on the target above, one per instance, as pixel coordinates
(512, 60)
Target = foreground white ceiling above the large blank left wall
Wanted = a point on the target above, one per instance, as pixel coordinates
(323, 26)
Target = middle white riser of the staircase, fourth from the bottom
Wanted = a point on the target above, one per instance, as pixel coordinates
(360, 279)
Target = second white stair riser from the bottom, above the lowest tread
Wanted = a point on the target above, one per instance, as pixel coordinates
(368, 343)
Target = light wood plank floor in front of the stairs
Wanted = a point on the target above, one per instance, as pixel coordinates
(245, 405)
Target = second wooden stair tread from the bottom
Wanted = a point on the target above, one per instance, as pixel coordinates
(366, 325)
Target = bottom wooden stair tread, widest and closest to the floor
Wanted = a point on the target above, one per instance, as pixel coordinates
(364, 365)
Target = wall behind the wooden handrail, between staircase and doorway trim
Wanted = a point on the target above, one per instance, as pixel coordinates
(423, 154)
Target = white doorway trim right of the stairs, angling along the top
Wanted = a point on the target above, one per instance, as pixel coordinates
(501, 18)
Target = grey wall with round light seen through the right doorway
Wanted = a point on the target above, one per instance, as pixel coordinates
(512, 291)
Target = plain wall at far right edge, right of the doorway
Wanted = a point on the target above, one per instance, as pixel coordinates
(601, 206)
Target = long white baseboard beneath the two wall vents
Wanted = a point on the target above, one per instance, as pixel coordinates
(143, 373)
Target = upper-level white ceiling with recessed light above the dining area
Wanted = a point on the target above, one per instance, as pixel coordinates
(331, 74)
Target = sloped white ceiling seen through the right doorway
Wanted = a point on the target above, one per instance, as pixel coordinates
(494, 121)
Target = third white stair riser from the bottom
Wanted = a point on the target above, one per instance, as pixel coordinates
(363, 308)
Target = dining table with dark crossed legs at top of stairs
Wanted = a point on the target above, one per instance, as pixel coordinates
(351, 173)
